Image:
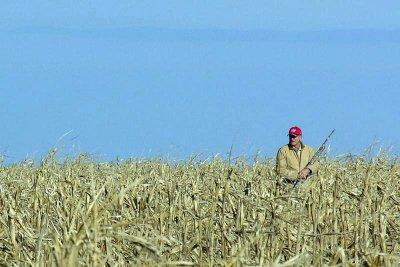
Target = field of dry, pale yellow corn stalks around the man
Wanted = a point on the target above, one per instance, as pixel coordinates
(198, 213)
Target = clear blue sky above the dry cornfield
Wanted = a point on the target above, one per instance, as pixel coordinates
(176, 78)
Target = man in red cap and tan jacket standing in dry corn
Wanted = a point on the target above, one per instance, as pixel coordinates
(292, 159)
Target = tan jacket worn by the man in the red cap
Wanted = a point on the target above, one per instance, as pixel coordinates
(289, 164)
